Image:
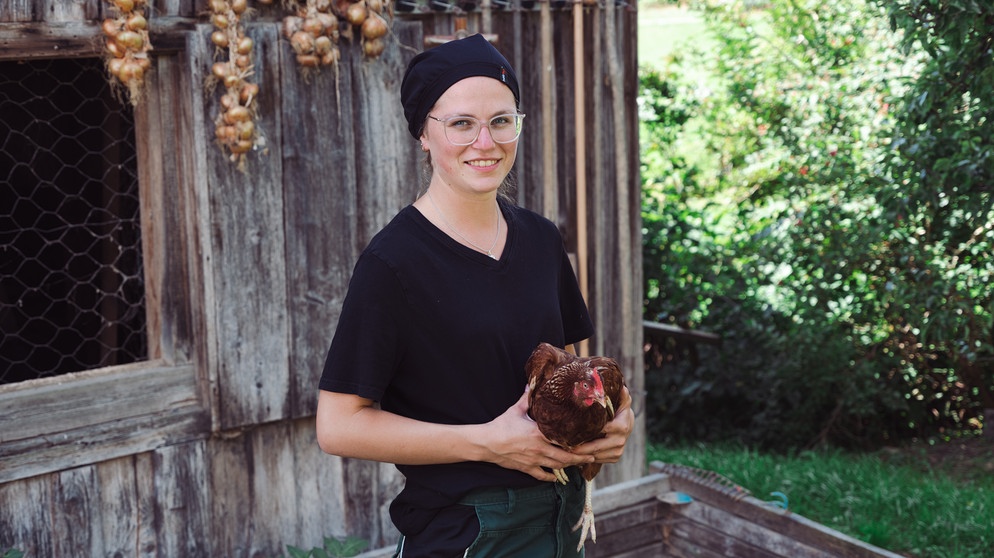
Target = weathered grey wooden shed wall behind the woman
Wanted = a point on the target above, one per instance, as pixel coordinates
(246, 271)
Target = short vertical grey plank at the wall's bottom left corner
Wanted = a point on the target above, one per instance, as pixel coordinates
(26, 516)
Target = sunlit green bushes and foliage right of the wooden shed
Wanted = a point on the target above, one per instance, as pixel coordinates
(821, 196)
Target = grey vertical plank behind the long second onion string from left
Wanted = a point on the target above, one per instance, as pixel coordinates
(247, 257)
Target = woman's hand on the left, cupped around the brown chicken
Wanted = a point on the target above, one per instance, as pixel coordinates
(515, 442)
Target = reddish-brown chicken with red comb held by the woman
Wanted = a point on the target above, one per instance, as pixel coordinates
(571, 398)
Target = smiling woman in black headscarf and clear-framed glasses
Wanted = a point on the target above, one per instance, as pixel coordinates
(426, 369)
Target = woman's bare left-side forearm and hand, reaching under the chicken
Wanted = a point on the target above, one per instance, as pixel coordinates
(352, 426)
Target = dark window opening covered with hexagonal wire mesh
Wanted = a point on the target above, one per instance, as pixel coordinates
(71, 288)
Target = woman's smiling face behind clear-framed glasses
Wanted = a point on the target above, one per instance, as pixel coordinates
(482, 165)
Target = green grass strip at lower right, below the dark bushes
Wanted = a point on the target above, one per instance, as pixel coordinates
(893, 500)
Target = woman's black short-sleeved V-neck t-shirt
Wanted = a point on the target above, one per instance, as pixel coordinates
(436, 331)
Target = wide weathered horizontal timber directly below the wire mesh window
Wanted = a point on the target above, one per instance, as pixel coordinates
(107, 417)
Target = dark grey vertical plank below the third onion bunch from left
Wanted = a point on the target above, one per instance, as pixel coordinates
(319, 192)
